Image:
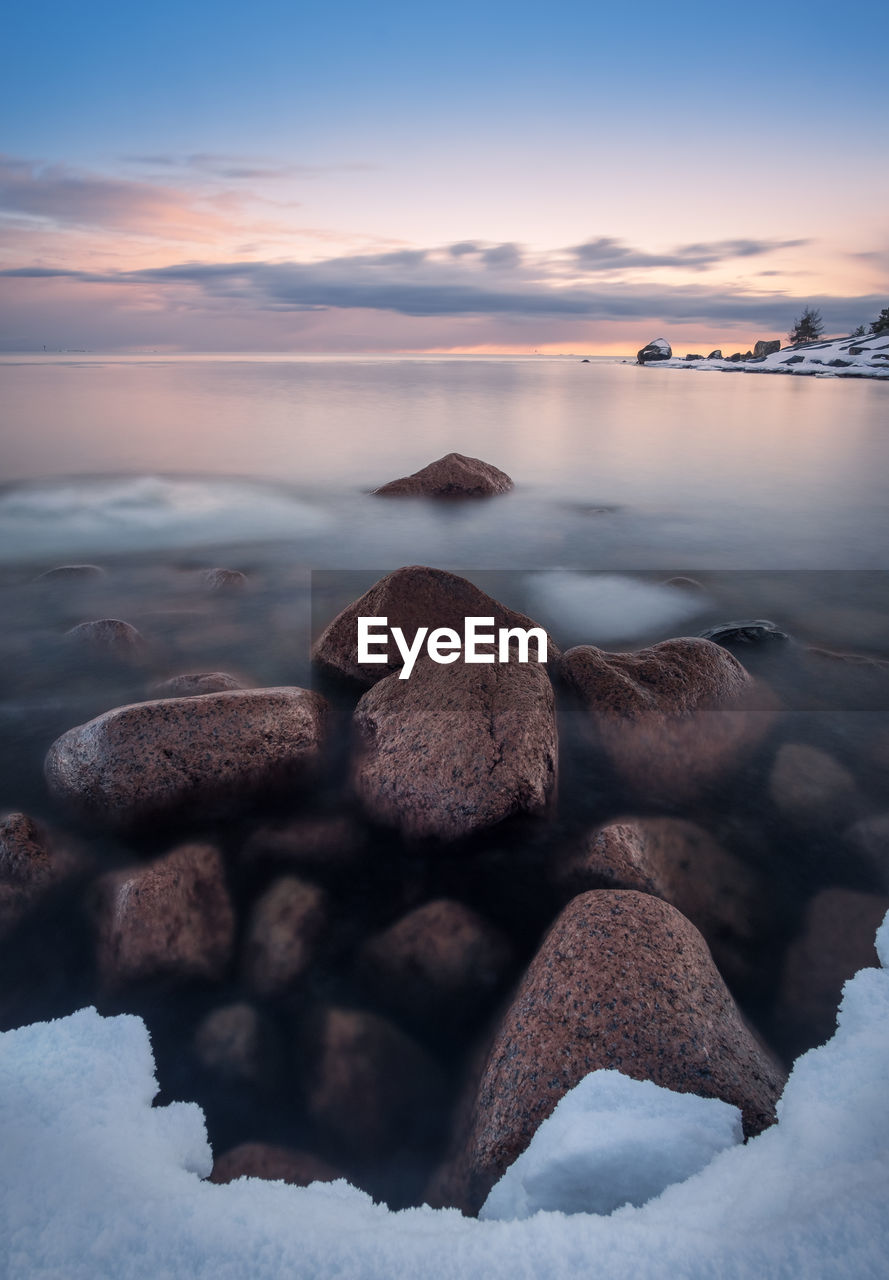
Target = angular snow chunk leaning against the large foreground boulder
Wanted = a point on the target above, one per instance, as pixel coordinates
(613, 1141)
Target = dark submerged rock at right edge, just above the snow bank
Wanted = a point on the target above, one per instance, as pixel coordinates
(836, 940)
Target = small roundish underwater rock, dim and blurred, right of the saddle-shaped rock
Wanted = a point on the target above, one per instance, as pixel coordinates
(812, 789)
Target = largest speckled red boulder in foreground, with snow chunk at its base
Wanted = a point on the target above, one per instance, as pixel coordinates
(622, 981)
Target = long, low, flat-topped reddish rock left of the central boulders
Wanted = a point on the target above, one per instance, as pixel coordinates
(187, 757)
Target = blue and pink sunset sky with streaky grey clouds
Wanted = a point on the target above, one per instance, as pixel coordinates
(476, 177)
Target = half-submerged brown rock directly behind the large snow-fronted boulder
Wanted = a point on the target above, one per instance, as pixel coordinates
(682, 863)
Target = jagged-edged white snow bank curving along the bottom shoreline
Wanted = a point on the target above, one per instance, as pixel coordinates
(95, 1183)
